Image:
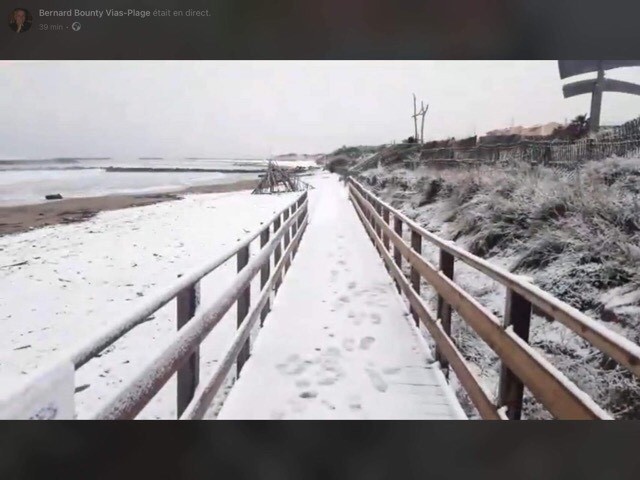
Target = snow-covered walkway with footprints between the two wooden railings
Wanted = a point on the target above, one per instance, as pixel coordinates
(339, 342)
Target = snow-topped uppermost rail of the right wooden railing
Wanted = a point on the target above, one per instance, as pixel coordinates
(621, 349)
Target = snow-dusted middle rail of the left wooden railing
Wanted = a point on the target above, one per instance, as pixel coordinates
(146, 384)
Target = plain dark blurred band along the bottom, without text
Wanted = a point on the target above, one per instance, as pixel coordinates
(322, 450)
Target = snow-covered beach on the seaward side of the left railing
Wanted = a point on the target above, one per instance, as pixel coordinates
(82, 277)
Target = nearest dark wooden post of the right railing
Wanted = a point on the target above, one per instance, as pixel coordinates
(517, 314)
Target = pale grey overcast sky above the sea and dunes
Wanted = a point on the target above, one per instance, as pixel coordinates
(214, 108)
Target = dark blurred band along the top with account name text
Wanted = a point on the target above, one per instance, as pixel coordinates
(336, 29)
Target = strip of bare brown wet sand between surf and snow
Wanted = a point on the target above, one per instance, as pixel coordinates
(22, 218)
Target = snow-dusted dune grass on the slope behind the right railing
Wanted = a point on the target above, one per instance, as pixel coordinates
(576, 234)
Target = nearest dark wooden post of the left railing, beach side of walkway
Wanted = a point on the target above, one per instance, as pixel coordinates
(187, 302)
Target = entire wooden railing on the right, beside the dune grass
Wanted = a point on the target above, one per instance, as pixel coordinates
(522, 366)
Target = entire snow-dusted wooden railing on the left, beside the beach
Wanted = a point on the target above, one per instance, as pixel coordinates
(279, 239)
